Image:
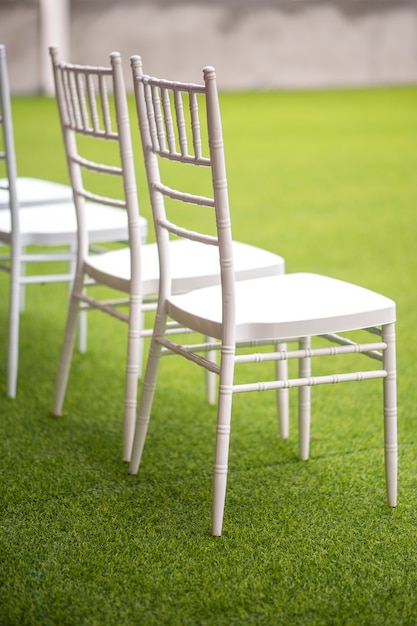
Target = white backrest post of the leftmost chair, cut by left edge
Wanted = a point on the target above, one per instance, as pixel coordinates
(7, 150)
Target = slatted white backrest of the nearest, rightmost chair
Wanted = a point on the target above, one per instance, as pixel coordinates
(181, 123)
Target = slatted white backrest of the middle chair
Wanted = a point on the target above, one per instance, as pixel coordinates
(95, 124)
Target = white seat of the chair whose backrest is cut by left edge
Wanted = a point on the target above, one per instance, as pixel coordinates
(56, 224)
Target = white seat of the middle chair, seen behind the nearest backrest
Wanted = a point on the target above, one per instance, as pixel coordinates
(192, 265)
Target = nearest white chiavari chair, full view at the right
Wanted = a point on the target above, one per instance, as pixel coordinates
(286, 308)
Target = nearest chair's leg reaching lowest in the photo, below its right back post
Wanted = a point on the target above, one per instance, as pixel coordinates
(224, 412)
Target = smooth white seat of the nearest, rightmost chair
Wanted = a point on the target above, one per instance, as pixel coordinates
(287, 306)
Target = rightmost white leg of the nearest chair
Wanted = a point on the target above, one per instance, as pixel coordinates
(390, 414)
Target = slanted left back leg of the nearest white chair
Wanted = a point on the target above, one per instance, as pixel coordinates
(146, 398)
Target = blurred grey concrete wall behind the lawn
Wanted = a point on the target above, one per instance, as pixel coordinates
(252, 43)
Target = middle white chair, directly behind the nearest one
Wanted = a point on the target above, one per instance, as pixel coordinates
(87, 111)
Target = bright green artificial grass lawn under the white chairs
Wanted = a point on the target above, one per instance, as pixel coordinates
(327, 179)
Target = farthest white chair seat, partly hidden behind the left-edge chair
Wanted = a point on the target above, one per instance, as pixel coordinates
(32, 191)
